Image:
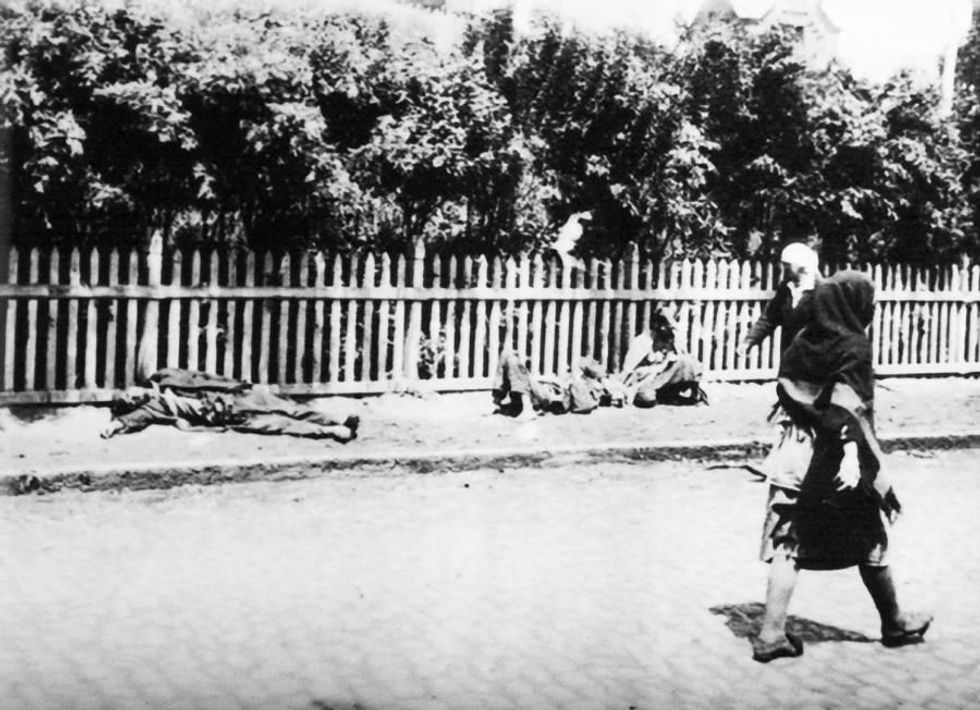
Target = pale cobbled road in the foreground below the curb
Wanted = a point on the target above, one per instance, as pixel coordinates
(613, 587)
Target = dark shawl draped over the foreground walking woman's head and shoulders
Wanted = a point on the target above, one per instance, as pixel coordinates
(826, 376)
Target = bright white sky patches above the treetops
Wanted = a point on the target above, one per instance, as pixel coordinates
(877, 37)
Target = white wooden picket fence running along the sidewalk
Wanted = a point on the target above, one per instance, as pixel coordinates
(81, 327)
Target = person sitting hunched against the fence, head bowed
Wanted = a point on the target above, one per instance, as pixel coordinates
(655, 372)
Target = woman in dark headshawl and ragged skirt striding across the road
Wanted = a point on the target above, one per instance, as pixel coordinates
(830, 501)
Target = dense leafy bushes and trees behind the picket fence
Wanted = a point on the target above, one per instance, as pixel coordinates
(289, 131)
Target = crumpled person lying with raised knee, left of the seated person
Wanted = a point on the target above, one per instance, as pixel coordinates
(518, 393)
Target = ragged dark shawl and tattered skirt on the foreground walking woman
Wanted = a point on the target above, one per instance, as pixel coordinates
(826, 392)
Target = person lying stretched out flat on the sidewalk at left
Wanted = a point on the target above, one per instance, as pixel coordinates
(193, 401)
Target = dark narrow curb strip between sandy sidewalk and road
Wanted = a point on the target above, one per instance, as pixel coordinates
(158, 476)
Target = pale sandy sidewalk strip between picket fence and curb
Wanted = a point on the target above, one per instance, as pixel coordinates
(41, 439)
